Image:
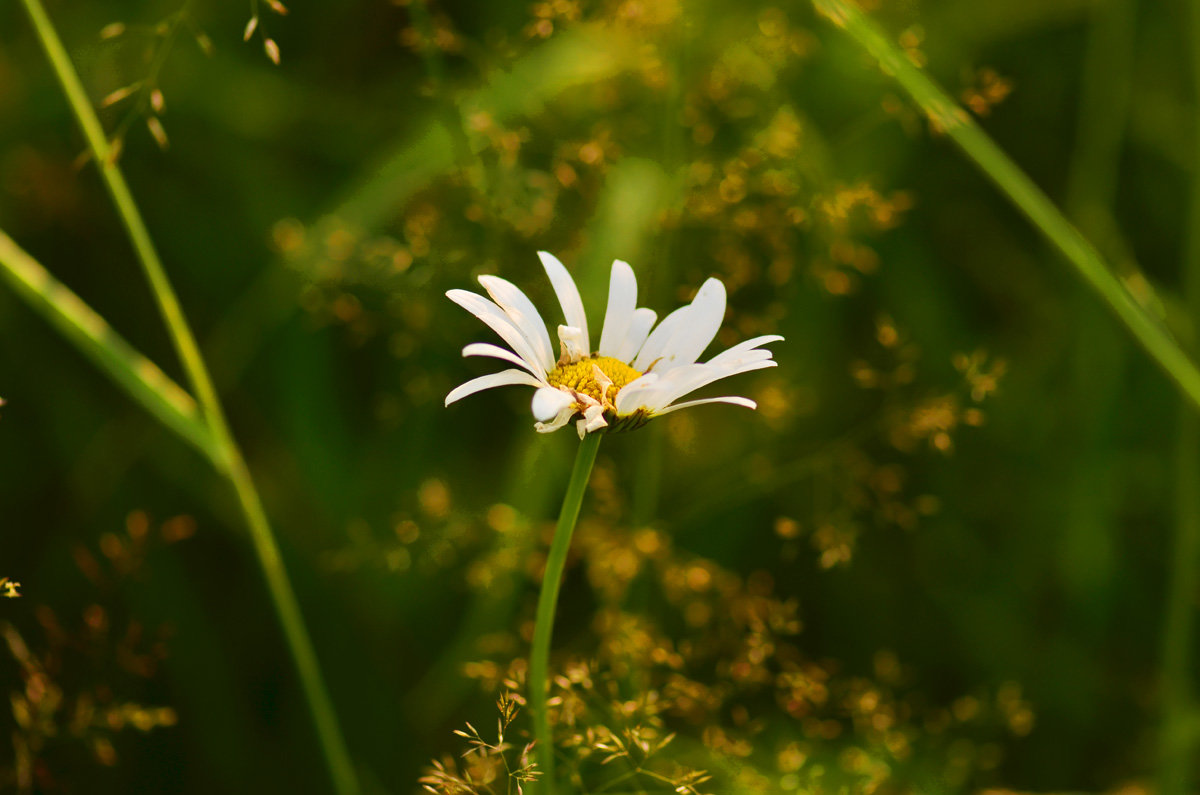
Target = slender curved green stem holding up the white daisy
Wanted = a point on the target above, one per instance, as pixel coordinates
(548, 601)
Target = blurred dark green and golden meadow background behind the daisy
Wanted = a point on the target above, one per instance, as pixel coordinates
(961, 479)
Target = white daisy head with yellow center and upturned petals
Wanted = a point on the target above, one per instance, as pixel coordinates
(639, 372)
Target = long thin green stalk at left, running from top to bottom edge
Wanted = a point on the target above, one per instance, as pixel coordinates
(229, 457)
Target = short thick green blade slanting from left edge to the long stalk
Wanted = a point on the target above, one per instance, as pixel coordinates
(95, 338)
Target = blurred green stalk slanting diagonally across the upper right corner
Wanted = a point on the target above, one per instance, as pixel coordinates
(1021, 190)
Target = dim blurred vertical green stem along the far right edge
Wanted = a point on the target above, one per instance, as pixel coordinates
(1178, 738)
